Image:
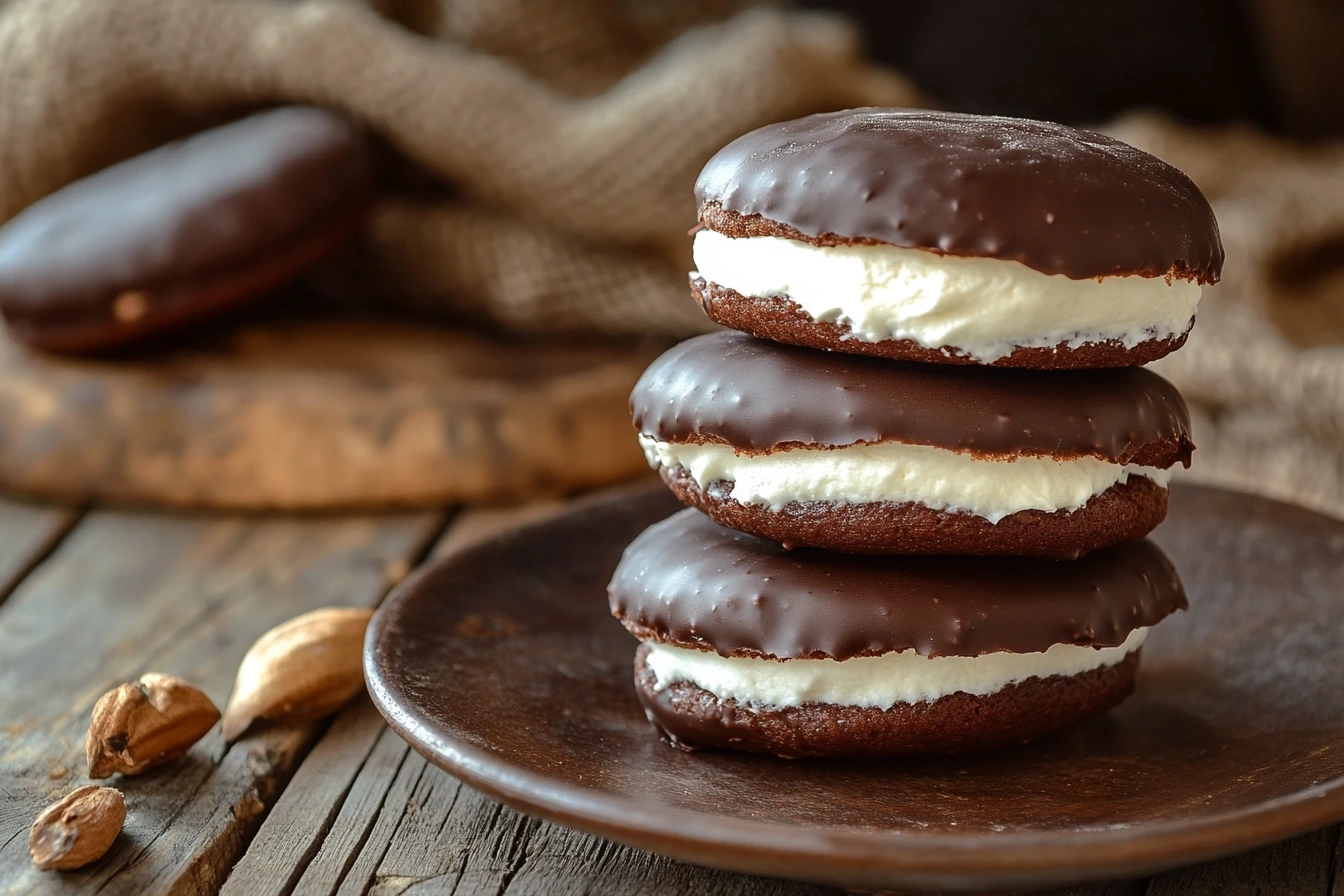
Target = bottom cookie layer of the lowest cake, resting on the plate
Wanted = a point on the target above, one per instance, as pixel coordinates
(694, 719)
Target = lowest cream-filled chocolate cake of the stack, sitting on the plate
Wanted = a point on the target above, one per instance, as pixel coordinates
(807, 654)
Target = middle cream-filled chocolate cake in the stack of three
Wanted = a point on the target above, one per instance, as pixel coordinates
(872, 456)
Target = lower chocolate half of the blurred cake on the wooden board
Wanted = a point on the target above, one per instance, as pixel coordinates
(174, 307)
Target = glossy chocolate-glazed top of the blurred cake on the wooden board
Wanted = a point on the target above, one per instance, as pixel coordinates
(185, 212)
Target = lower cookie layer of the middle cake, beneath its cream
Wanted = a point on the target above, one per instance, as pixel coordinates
(1123, 512)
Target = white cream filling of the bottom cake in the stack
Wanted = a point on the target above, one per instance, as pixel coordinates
(873, 682)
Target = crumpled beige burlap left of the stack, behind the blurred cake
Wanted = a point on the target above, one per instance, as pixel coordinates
(571, 131)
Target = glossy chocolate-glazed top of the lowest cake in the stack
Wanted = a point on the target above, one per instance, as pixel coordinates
(691, 582)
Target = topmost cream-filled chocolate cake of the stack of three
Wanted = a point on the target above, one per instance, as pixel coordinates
(951, 238)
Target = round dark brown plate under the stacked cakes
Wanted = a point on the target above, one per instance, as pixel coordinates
(502, 666)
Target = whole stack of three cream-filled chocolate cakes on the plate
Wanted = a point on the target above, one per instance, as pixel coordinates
(924, 461)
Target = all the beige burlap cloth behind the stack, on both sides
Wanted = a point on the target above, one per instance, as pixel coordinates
(561, 140)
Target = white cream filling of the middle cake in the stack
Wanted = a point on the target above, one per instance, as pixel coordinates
(896, 472)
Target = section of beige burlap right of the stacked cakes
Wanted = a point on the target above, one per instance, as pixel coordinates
(1264, 370)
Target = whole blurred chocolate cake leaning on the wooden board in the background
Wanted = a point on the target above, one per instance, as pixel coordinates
(185, 232)
